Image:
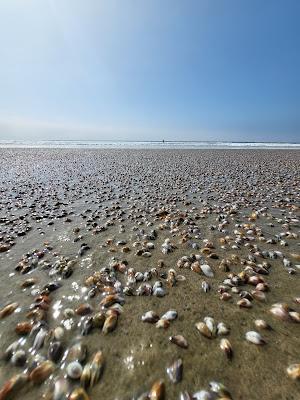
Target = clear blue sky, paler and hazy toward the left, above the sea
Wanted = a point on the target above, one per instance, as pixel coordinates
(150, 70)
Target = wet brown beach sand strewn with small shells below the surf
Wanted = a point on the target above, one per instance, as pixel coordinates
(99, 210)
